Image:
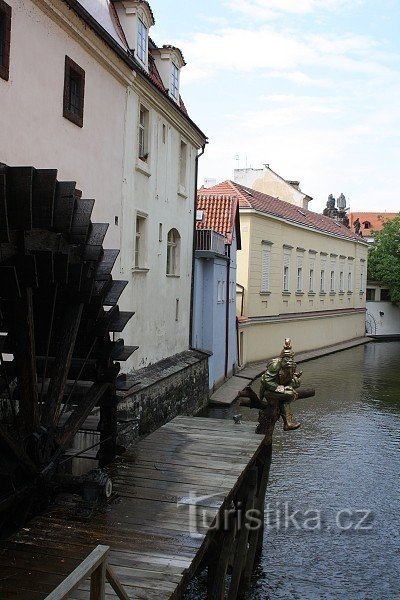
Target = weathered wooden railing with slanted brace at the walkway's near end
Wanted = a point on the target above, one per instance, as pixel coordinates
(94, 566)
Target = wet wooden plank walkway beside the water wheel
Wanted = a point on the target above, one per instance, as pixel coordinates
(157, 525)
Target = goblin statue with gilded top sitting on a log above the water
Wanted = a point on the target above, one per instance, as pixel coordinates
(279, 388)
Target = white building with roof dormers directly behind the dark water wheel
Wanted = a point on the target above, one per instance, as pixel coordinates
(83, 89)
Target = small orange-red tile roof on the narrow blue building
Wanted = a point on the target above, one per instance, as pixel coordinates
(219, 213)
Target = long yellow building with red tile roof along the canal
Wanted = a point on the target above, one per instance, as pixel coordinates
(300, 274)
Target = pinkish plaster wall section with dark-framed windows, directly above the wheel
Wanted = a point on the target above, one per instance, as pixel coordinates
(33, 130)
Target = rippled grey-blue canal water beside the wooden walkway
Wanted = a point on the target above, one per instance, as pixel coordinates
(333, 502)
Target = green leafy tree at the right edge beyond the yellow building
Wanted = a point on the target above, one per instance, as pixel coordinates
(384, 258)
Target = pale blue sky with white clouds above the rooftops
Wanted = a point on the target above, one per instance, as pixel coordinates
(310, 87)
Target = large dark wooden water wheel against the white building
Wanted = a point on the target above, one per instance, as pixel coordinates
(58, 307)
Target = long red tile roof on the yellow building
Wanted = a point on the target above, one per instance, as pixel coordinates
(249, 198)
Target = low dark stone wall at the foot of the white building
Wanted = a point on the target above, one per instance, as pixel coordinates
(156, 394)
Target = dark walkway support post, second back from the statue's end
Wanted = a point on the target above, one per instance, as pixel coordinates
(243, 536)
